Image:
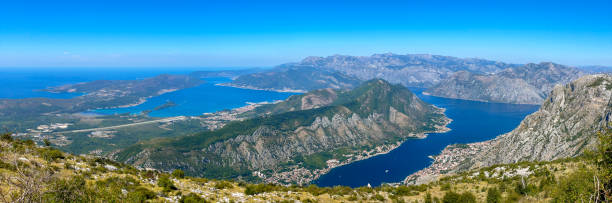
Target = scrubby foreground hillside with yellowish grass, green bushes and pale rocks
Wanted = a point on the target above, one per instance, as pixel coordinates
(31, 173)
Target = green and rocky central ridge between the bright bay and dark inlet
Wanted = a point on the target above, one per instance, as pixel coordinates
(295, 142)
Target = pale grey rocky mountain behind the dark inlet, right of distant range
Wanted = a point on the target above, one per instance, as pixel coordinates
(528, 84)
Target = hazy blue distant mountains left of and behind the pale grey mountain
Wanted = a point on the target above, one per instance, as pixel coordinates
(420, 70)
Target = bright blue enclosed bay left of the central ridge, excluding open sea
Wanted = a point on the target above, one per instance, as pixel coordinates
(207, 97)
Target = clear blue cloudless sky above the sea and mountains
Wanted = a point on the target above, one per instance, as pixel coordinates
(176, 33)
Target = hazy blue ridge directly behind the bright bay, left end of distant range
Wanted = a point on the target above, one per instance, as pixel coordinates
(295, 78)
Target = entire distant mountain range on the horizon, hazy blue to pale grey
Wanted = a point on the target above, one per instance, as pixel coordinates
(444, 76)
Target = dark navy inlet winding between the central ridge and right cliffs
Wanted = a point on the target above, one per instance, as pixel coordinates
(472, 122)
